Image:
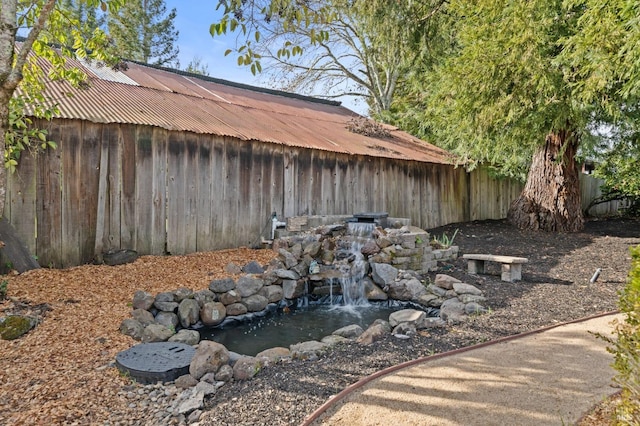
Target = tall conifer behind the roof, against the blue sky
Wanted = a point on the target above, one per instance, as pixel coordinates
(144, 31)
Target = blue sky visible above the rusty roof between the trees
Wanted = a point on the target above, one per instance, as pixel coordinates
(193, 19)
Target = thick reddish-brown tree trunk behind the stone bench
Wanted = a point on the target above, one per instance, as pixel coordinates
(550, 200)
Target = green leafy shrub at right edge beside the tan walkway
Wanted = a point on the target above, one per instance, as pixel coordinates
(626, 348)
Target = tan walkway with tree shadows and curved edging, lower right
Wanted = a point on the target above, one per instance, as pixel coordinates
(548, 377)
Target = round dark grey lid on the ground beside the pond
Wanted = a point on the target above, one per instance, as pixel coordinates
(156, 362)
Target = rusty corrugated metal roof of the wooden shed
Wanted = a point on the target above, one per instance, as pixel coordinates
(179, 101)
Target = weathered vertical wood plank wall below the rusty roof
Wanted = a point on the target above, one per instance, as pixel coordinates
(113, 186)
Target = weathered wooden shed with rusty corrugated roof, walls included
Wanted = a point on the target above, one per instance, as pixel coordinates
(165, 162)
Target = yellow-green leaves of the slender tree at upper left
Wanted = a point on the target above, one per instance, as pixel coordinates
(62, 29)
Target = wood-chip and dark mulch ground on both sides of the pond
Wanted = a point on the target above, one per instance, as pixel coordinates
(61, 372)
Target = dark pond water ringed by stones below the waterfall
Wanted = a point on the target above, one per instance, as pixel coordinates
(284, 324)
